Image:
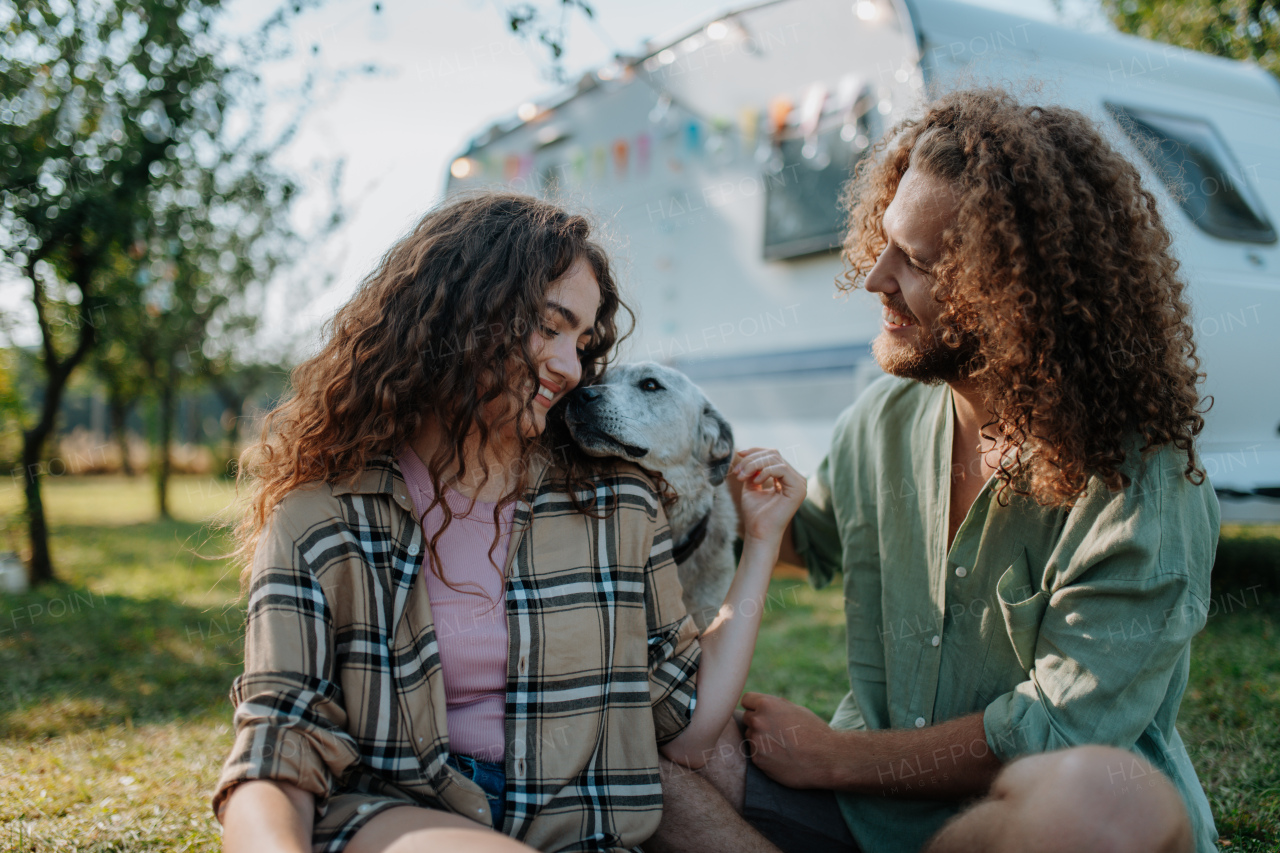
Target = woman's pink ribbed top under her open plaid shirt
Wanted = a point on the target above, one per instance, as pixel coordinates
(470, 626)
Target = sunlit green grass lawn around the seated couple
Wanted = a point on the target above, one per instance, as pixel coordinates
(116, 720)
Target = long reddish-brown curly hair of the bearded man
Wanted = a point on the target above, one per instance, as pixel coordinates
(1058, 270)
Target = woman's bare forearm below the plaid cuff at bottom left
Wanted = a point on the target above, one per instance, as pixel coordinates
(269, 816)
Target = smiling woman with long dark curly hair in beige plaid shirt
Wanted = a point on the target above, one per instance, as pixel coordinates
(461, 632)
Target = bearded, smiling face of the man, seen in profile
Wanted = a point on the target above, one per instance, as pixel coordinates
(915, 223)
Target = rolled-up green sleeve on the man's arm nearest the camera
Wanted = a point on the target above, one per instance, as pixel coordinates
(1116, 635)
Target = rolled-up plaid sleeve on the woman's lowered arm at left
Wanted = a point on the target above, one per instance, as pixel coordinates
(290, 717)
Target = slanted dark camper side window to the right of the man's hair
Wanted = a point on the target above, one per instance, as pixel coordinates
(1196, 167)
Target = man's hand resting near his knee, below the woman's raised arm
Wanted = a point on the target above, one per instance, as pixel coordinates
(789, 742)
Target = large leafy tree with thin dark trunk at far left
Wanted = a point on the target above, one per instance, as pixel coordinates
(116, 134)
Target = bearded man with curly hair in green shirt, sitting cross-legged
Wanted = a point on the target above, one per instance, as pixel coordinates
(1023, 530)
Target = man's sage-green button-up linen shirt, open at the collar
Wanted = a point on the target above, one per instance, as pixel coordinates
(1063, 627)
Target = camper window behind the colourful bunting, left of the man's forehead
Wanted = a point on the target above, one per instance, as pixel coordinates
(802, 193)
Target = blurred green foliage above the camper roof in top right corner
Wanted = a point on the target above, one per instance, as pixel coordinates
(1247, 30)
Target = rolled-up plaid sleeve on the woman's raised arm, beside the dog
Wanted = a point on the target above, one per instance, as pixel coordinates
(674, 647)
